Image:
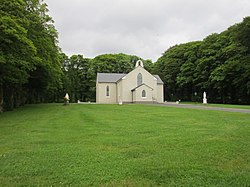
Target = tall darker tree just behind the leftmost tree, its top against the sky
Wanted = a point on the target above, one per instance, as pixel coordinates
(45, 80)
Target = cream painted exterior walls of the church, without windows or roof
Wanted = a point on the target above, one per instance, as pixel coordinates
(121, 91)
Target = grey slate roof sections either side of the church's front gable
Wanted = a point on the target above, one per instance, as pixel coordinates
(114, 77)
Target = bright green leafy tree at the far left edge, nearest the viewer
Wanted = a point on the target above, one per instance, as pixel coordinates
(17, 50)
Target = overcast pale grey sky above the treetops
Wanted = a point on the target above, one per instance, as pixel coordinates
(145, 28)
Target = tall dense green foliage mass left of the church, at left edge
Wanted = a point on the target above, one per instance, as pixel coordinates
(30, 69)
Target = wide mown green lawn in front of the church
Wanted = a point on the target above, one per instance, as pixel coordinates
(128, 145)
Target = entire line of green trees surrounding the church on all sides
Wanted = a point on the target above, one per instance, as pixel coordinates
(33, 69)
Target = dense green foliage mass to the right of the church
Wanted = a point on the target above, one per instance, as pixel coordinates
(219, 65)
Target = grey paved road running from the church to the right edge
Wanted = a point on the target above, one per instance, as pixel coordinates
(172, 104)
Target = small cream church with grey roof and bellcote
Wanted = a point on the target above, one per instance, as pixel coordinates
(138, 86)
